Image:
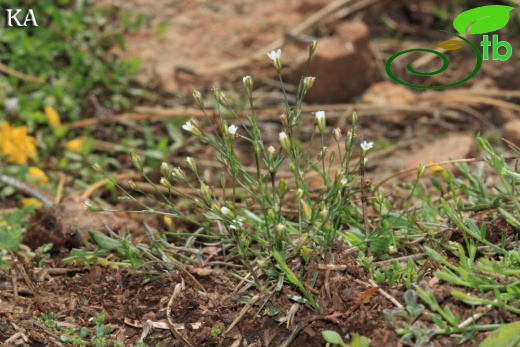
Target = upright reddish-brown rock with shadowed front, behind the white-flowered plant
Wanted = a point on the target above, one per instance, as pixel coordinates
(342, 65)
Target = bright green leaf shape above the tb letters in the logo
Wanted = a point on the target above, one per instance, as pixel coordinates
(483, 19)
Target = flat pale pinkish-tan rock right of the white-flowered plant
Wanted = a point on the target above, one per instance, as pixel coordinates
(456, 146)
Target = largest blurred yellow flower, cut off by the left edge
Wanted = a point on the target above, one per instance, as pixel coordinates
(16, 145)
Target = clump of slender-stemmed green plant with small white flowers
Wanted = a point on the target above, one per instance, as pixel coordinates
(264, 219)
